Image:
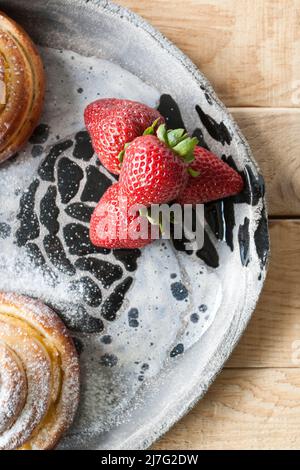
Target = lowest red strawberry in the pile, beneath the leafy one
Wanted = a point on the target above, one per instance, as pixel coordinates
(112, 224)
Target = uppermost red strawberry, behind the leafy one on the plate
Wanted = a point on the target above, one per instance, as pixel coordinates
(112, 123)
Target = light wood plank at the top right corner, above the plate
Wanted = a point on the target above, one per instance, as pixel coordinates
(248, 49)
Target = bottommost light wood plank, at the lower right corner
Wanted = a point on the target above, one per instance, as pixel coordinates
(244, 409)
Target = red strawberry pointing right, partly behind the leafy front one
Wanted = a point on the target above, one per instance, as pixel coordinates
(216, 179)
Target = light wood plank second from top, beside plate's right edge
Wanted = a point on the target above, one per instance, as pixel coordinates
(274, 137)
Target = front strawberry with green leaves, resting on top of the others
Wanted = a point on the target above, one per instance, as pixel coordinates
(154, 168)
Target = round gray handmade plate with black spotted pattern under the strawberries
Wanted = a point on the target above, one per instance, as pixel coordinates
(153, 327)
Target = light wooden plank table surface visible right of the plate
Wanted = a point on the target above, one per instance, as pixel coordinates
(250, 51)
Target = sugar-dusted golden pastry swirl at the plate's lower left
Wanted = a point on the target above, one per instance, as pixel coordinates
(39, 375)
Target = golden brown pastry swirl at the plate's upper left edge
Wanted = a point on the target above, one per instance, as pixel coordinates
(22, 87)
